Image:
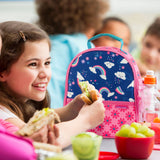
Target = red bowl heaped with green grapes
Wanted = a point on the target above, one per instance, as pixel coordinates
(134, 141)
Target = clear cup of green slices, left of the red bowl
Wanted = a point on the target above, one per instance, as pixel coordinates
(86, 146)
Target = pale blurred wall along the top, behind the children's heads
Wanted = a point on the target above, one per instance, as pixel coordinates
(137, 13)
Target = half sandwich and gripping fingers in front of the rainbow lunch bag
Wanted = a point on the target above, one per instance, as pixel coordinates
(93, 98)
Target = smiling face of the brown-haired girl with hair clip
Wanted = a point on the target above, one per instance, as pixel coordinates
(29, 76)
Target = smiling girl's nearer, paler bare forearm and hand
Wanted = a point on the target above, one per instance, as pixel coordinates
(89, 117)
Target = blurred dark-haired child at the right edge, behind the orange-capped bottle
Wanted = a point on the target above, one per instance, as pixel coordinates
(148, 58)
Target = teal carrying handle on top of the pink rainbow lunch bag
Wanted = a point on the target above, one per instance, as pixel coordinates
(104, 34)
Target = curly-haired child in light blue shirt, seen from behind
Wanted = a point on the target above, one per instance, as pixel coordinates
(70, 24)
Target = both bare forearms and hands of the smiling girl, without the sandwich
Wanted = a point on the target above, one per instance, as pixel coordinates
(79, 117)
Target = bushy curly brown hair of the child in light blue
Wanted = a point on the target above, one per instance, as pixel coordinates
(70, 16)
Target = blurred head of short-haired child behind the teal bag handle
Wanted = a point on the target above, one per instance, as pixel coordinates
(117, 27)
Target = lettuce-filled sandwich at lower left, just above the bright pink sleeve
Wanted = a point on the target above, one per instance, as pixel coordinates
(40, 118)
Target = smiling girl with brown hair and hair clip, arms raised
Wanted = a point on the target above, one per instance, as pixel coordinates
(24, 75)
